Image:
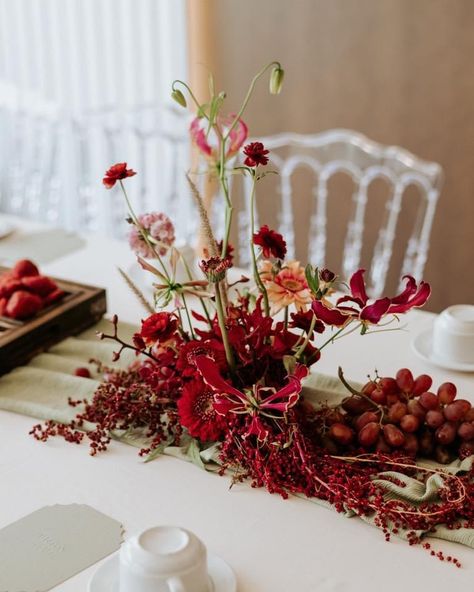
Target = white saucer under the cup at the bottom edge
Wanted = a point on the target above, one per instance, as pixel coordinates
(105, 579)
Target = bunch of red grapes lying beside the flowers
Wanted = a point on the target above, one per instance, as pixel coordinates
(403, 414)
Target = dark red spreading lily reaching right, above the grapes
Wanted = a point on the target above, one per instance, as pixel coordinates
(411, 297)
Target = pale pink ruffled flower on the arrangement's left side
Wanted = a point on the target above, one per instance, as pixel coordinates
(159, 228)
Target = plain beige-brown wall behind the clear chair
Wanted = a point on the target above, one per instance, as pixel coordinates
(400, 71)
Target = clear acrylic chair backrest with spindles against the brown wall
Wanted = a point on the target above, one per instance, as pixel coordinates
(339, 150)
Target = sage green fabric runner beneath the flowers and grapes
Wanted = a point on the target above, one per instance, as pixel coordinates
(42, 389)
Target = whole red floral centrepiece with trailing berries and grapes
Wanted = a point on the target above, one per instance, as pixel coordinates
(221, 365)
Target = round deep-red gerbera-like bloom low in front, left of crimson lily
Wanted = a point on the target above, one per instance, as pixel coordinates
(197, 414)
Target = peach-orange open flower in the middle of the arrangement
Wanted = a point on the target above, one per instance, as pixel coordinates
(286, 287)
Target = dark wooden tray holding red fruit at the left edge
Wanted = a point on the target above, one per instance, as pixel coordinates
(82, 307)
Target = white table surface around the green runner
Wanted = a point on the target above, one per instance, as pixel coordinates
(274, 545)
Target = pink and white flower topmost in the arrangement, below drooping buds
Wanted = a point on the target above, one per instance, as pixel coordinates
(203, 139)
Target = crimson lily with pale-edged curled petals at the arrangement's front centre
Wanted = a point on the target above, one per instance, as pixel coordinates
(258, 401)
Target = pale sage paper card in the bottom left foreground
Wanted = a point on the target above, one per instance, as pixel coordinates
(52, 544)
